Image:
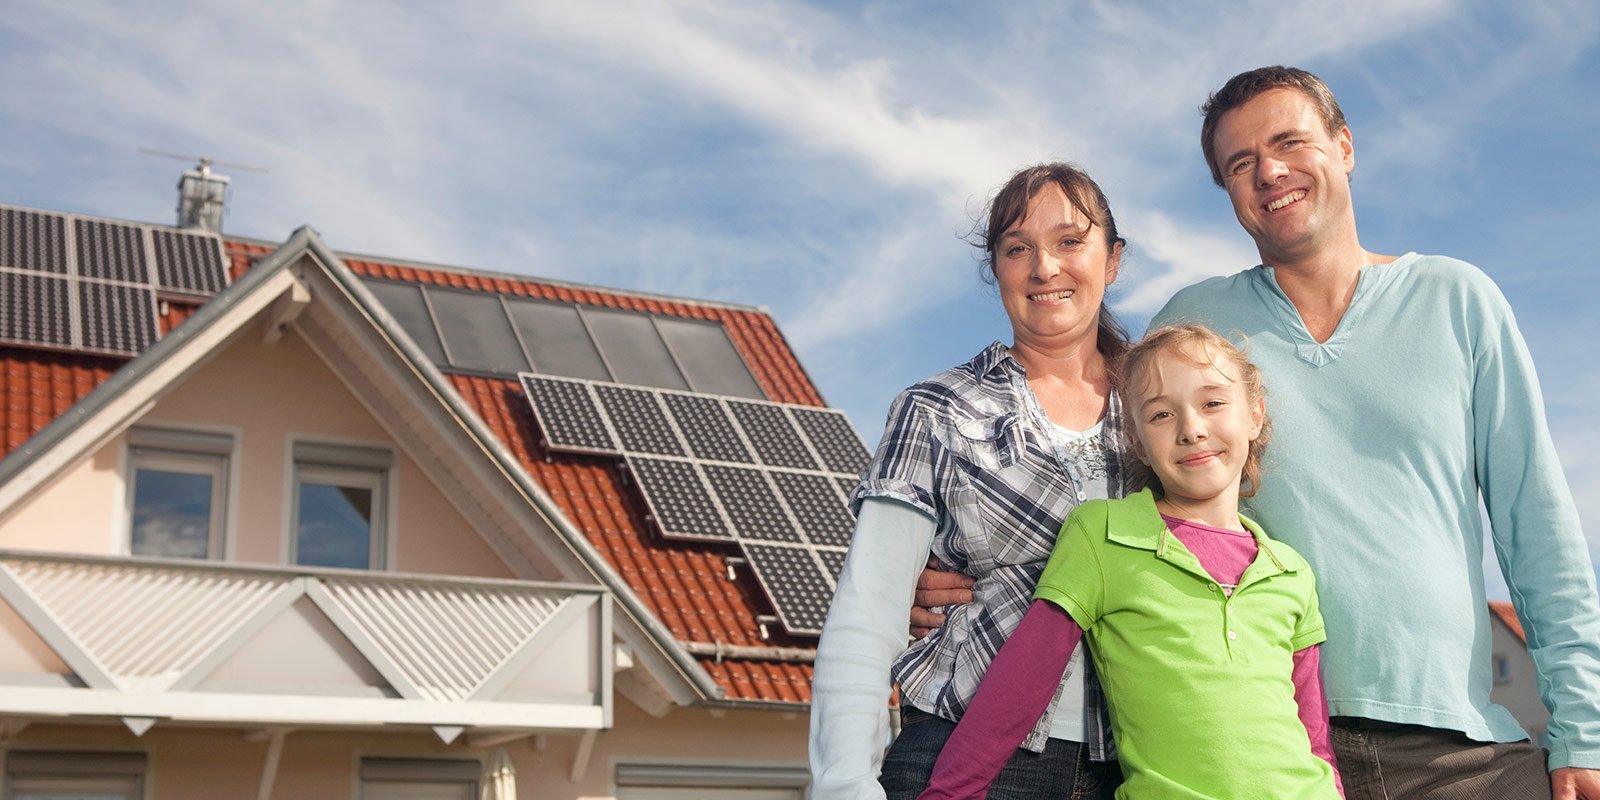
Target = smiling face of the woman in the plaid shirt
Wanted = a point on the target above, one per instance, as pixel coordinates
(1052, 270)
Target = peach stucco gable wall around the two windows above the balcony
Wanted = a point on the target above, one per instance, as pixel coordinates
(266, 396)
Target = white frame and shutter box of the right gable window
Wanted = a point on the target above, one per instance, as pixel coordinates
(346, 466)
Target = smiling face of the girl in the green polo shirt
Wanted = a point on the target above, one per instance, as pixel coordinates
(1194, 428)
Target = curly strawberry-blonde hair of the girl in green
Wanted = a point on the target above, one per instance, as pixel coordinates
(1199, 346)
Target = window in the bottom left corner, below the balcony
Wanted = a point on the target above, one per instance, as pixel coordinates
(74, 777)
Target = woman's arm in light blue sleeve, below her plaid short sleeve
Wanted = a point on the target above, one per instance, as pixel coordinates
(865, 633)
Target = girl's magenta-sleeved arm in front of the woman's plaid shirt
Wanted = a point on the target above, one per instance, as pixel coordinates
(1015, 694)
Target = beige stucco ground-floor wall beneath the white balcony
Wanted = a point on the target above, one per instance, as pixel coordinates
(204, 764)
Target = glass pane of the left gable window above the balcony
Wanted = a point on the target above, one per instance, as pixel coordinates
(172, 514)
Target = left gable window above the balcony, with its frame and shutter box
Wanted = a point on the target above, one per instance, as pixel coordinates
(177, 492)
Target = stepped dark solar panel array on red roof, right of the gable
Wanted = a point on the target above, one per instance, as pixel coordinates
(769, 478)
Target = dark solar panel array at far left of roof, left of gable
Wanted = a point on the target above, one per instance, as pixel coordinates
(74, 282)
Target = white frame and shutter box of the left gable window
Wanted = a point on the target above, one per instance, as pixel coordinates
(185, 452)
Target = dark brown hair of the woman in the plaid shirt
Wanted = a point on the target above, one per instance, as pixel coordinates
(1010, 206)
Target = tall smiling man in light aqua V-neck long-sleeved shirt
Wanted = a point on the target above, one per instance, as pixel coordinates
(1402, 391)
